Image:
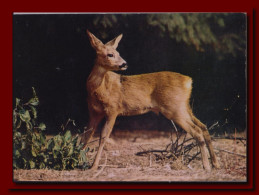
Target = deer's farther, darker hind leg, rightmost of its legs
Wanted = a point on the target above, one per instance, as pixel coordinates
(207, 137)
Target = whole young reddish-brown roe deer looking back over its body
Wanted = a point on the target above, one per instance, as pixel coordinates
(111, 95)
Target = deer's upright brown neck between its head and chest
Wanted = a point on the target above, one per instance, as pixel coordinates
(96, 77)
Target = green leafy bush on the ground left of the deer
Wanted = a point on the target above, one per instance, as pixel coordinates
(31, 148)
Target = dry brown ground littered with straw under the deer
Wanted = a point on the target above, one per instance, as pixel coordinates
(120, 162)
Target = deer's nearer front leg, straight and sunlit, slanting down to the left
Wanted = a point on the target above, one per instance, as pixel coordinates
(105, 134)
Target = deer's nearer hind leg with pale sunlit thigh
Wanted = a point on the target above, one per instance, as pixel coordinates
(183, 119)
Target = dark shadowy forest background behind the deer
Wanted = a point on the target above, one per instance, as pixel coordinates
(52, 53)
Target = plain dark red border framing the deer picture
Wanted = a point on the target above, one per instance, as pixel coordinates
(7, 186)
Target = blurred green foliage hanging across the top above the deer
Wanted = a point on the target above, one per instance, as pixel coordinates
(200, 30)
